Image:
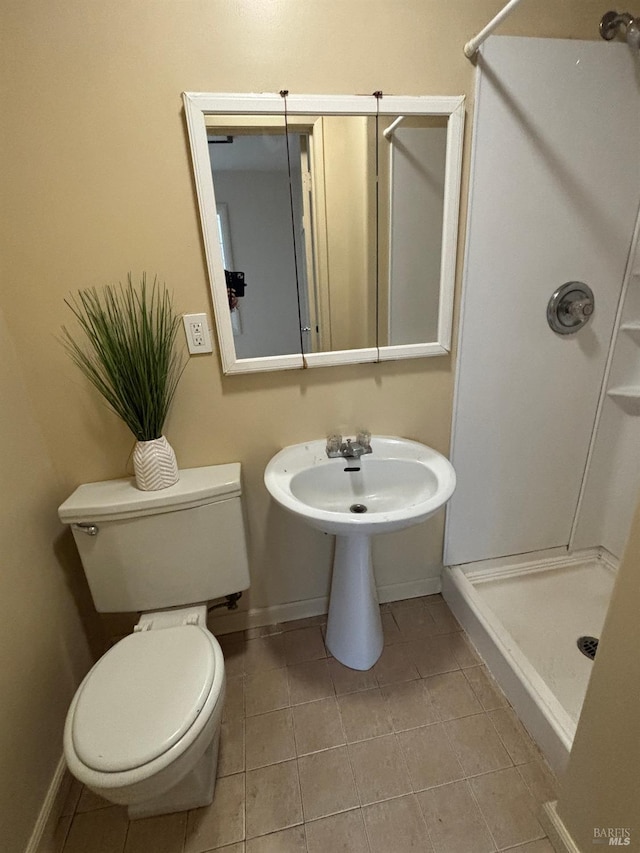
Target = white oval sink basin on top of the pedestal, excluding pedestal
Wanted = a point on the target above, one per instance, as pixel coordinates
(401, 483)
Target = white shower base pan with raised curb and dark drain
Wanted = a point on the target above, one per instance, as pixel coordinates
(525, 615)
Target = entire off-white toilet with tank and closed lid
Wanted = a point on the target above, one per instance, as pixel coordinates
(144, 726)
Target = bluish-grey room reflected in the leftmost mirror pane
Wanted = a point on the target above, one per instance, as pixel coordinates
(254, 204)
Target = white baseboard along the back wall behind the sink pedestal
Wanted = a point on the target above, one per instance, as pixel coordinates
(225, 622)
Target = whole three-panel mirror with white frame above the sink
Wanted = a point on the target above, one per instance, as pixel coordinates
(329, 224)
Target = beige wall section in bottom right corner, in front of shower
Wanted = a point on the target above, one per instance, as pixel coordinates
(601, 787)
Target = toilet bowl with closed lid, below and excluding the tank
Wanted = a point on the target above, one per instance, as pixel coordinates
(143, 728)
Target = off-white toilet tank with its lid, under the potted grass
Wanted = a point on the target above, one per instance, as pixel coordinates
(153, 550)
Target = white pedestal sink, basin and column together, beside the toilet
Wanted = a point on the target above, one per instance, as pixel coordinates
(399, 484)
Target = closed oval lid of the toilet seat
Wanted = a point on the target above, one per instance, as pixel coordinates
(142, 697)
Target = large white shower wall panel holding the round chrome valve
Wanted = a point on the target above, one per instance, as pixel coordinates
(554, 198)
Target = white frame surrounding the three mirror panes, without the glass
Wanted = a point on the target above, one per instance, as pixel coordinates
(200, 106)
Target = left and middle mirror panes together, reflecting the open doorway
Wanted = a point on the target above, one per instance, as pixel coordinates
(304, 191)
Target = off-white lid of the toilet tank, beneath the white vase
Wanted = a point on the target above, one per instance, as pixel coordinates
(117, 499)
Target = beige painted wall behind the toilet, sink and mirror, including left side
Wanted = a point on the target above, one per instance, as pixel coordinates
(96, 181)
